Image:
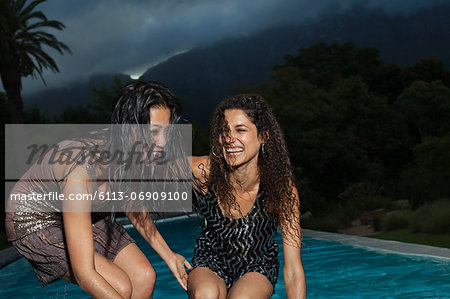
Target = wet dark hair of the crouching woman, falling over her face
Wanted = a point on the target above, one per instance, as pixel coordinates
(132, 107)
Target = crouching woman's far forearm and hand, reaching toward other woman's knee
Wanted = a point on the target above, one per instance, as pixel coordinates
(144, 224)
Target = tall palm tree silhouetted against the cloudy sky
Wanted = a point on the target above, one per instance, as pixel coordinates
(22, 36)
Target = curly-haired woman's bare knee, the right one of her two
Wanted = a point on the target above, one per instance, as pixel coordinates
(251, 285)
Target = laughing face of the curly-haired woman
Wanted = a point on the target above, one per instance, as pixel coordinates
(243, 143)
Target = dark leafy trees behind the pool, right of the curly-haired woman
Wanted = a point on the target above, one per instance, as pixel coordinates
(361, 132)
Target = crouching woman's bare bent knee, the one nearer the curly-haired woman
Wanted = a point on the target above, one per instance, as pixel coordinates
(139, 270)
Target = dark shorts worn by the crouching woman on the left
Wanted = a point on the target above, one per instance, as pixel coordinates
(47, 253)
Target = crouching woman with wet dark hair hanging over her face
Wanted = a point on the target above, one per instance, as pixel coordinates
(68, 241)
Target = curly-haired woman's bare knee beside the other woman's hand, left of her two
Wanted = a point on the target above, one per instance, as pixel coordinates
(205, 284)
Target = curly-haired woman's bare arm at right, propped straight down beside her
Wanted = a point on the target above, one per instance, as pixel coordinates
(294, 276)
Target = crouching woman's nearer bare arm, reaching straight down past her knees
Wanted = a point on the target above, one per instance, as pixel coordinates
(80, 243)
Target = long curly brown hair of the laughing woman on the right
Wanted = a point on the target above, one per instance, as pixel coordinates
(274, 166)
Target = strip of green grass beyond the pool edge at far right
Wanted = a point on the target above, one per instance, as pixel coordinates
(403, 235)
